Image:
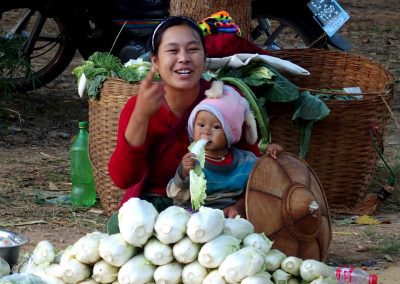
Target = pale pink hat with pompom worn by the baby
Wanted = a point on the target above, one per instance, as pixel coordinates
(231, 109)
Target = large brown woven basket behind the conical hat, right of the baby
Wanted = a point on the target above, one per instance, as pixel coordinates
(340, 150)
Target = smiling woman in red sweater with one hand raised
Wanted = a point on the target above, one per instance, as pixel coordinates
(152, 135)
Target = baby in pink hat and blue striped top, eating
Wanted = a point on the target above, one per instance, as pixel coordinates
(220, 118)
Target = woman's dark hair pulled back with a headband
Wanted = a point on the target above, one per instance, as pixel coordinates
(170, 22)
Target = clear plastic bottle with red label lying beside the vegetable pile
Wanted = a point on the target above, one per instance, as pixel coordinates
(349, 275)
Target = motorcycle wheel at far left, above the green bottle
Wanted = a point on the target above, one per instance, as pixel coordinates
(34, 49)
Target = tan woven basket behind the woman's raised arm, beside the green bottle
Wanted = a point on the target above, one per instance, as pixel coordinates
(103, 125)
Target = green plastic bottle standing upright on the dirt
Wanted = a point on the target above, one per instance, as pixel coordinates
(83, 191)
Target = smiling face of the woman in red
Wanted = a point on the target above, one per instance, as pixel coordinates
(180, 59)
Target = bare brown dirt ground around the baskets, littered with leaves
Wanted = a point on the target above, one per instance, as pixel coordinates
(36, 131)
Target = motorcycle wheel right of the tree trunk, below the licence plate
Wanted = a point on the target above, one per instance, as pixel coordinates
(274, 32)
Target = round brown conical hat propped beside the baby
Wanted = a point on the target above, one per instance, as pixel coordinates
(286, 201)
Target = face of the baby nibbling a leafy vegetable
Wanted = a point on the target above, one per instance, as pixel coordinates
(207, 126)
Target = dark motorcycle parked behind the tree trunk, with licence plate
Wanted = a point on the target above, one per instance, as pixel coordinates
(43, 35)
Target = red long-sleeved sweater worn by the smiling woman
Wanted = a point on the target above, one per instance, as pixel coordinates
(129, 164)
